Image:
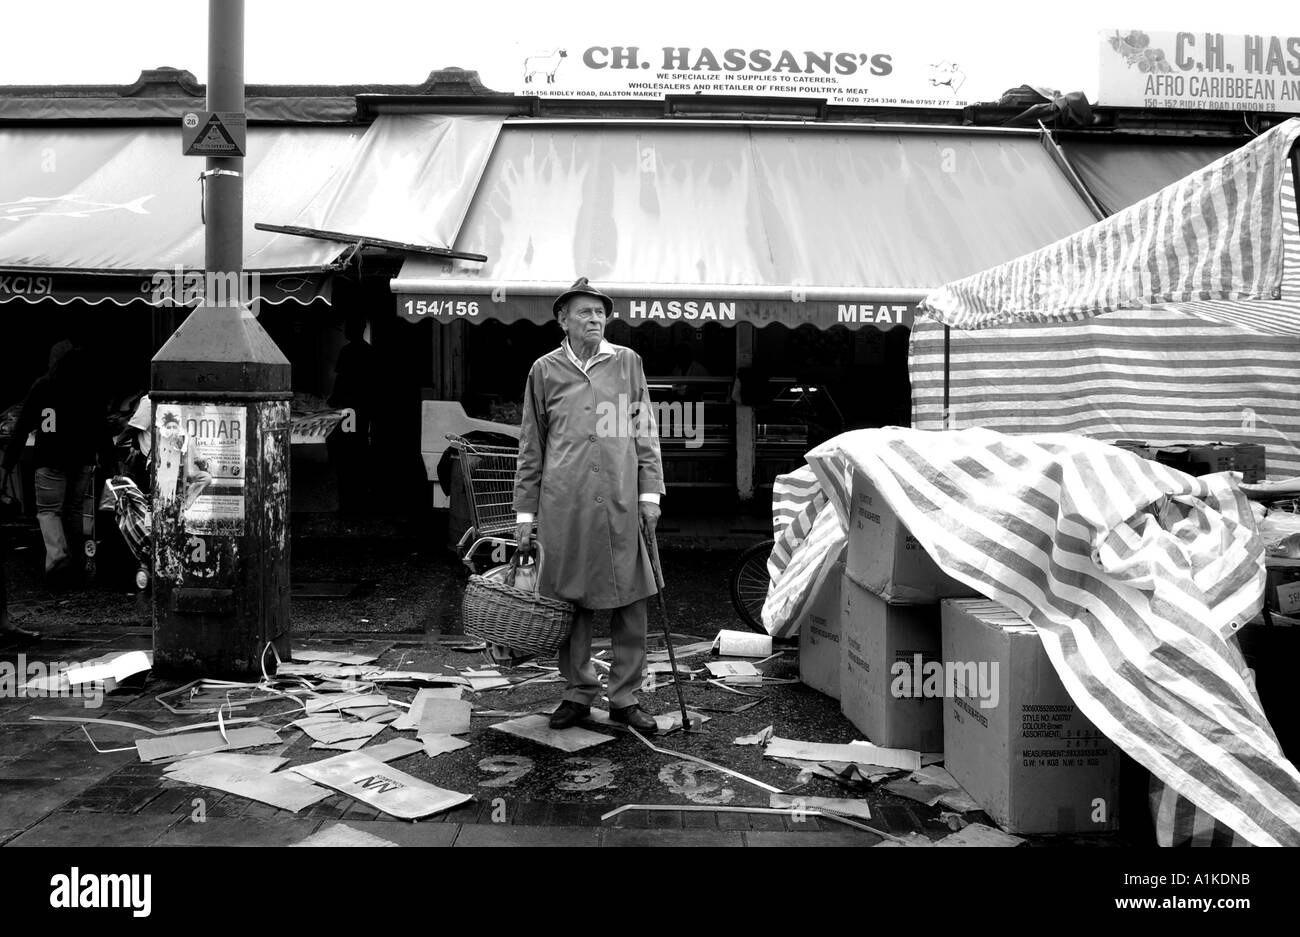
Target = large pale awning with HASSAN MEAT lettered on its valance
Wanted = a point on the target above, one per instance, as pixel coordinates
(733, 223)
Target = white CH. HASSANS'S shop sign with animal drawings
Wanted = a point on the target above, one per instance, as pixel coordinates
(842, 75)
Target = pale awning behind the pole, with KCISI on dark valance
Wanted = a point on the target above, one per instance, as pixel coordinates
(112, 214)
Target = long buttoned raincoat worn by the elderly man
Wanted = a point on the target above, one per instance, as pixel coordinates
(588, 449)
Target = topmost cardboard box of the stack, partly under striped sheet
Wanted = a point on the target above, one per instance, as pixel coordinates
(886, 558)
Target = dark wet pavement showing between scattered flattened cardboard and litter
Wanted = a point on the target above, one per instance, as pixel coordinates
(57, 789)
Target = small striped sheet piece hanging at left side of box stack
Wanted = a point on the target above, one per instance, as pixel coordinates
(809, 541)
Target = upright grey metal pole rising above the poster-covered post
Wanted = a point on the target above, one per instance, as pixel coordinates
(223, 237)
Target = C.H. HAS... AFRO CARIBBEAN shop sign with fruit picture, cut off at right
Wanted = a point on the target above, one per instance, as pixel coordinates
(1202, 71)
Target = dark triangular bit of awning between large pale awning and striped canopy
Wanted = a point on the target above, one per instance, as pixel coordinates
(1121, 175)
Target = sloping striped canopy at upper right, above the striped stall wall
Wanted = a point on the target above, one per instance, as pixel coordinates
(1216, 235)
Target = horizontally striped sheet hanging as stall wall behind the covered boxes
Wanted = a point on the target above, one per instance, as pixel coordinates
(1154, 375)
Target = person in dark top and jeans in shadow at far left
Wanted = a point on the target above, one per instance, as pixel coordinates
(67, 414)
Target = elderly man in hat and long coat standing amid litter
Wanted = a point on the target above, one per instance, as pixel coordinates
(591, 476)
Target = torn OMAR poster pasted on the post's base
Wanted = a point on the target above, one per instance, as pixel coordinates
(201, 463)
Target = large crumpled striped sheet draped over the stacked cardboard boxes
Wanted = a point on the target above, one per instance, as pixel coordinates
(1136, 578)
